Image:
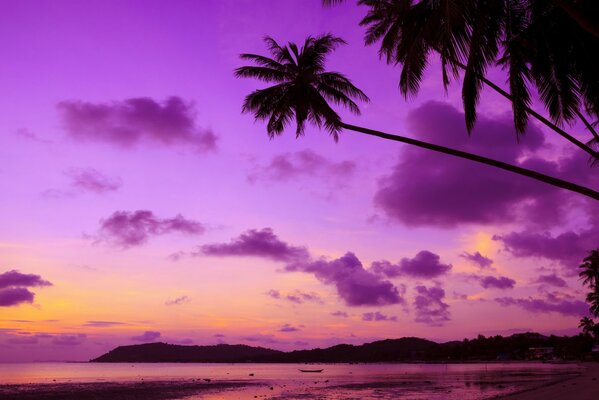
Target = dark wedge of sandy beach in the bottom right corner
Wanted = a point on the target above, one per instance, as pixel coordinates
(582, 387)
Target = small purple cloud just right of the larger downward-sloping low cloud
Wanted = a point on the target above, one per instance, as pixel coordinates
(424, 265)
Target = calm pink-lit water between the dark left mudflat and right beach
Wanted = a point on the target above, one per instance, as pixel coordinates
(337, 381)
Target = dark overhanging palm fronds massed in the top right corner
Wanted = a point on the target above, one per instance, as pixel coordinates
(535, 41)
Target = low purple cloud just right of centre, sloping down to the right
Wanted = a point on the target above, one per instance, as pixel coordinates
(354, 284)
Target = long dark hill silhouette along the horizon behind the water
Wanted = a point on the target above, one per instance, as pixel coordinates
(515, 347)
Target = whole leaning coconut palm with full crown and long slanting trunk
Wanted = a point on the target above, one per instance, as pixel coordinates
(302, 90)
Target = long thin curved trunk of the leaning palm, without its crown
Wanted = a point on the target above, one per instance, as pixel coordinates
(480, 159)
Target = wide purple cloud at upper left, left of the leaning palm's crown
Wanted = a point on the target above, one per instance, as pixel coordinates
(131, 121)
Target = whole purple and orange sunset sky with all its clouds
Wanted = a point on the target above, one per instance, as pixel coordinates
(138, 203)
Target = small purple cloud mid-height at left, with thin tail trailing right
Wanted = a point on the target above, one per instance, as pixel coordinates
(134, 228)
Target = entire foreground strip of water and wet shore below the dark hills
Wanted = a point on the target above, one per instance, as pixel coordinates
(108, 381)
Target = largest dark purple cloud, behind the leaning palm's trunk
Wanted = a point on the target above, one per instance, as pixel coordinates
(426, 188)
